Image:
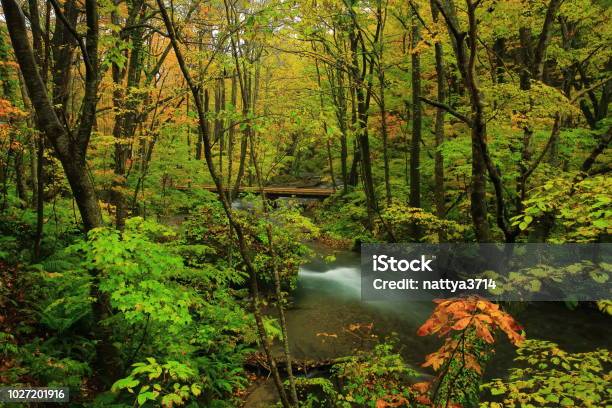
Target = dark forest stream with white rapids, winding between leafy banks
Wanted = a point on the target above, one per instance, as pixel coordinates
(327, 301)
